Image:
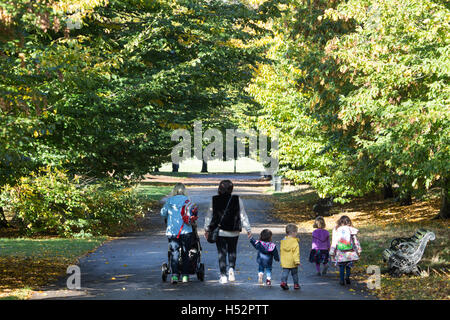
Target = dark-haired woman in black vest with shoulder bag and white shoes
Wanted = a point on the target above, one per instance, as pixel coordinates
(230, 227)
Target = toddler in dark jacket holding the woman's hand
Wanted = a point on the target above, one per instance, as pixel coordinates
(267, 251)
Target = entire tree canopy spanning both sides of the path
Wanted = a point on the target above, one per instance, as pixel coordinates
(357, 91)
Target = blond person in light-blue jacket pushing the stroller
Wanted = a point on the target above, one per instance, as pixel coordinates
(180, 212)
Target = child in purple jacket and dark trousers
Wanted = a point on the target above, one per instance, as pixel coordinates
(320, 246)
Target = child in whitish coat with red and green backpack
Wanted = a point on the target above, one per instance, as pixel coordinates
(345, 248)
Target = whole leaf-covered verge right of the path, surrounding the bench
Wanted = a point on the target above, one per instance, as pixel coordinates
(379, 221)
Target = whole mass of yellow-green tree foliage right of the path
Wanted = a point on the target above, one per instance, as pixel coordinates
(359, 95)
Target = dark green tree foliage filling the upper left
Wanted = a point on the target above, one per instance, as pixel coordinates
(104, 97)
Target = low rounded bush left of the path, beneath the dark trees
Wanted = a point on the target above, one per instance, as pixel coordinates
(50, 202)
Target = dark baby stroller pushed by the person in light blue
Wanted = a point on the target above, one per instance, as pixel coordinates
(194, 256)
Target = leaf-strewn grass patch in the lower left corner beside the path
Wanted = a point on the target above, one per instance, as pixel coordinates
(27, 264)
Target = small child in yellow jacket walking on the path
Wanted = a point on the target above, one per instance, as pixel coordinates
(290, 257)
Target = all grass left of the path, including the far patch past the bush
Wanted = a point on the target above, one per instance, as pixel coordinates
(27, 264)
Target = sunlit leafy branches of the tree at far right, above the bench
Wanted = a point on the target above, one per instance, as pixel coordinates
(401, 105)
